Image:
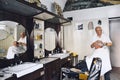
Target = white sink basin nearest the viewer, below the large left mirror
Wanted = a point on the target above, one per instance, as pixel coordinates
(23, 69)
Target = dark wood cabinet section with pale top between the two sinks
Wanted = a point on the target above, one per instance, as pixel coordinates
(51, 67)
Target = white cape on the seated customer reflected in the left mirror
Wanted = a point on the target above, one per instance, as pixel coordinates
(14, 50)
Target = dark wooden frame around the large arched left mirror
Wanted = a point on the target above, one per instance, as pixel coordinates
(27, 22)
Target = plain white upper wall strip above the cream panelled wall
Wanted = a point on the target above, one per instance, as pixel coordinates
(92, 13)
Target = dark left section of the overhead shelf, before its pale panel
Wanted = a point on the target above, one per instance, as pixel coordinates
(20, 7)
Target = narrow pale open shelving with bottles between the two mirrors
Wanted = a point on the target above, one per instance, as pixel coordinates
(38, 38)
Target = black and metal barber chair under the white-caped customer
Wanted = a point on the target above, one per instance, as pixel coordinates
(93, 73)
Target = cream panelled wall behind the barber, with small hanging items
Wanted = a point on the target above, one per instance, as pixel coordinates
(79, 40)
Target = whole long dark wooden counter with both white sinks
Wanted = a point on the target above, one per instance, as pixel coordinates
(49, 68)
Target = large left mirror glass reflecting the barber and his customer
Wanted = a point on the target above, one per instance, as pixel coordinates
(12, 39)
